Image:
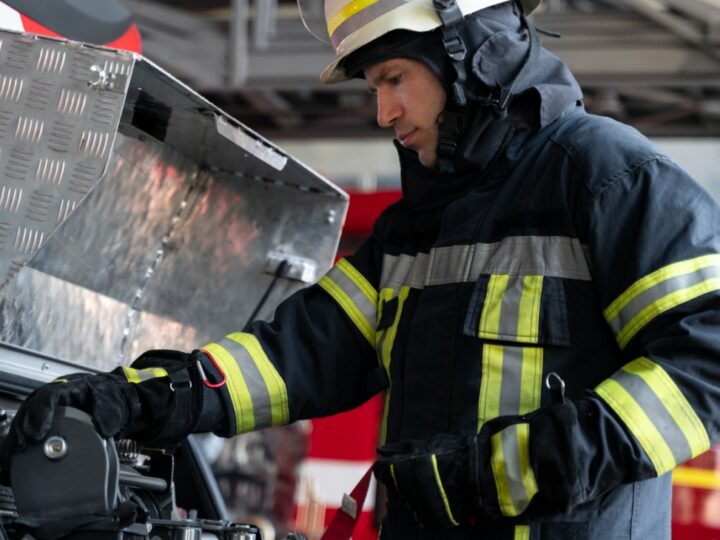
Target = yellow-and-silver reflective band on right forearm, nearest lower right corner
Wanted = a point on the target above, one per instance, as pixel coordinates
(656, 412)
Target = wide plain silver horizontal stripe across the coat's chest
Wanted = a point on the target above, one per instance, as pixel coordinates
(552, 256)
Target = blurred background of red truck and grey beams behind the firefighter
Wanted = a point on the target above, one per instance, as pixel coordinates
(654, 64)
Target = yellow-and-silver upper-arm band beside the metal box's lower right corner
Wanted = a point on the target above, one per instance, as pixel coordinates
(355, 296)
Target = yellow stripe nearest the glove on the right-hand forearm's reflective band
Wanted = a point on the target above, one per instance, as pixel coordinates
(638, 423)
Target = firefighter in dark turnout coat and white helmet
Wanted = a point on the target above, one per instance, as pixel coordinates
(541, 308)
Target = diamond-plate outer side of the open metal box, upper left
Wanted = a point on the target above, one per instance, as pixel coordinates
(60, 105)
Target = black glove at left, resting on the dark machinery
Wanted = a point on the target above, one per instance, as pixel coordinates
(158, 401)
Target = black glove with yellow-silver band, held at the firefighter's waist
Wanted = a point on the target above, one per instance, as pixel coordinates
(448, 480)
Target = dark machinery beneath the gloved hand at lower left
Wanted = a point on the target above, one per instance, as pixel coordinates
(75, 485)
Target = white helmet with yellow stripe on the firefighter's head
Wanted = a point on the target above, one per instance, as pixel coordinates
(351, 24)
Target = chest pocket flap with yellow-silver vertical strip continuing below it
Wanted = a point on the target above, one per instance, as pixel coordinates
(515, 317)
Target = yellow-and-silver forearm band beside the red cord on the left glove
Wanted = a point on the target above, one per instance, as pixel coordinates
(257, 391)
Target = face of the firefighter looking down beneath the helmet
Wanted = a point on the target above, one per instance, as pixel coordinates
(409, 100)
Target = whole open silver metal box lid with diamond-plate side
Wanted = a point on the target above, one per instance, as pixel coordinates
(134, 213)
